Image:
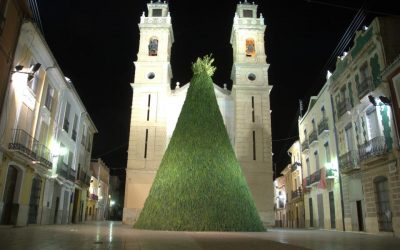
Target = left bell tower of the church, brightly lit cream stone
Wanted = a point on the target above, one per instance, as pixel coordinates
(151, 86)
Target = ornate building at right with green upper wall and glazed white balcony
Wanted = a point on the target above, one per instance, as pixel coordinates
(367, 140)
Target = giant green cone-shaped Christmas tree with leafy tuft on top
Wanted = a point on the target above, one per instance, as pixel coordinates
(199, 185)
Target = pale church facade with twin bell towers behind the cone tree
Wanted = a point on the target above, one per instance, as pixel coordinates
(156, 107)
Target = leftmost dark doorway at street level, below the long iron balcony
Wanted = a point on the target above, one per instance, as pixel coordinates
(9, 193)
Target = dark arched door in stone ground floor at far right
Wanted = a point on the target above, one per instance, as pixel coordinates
(383, 204)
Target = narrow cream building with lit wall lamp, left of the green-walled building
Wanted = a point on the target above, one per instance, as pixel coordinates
(321, 184)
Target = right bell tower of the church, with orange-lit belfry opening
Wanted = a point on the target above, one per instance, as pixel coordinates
(250, 92)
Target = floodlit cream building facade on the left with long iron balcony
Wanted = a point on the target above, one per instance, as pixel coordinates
(40, 148)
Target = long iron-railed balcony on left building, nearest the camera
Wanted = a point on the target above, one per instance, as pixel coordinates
(25, 144)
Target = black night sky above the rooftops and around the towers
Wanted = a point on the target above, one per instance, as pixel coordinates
(96, 42)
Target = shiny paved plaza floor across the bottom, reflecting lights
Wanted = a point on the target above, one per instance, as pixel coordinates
(114, 235)
